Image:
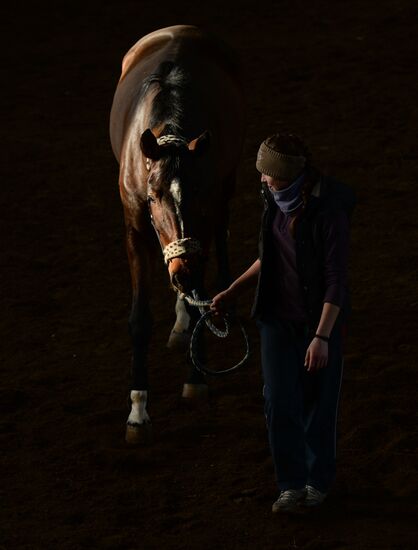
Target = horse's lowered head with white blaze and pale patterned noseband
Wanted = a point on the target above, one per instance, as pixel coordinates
(180, 196)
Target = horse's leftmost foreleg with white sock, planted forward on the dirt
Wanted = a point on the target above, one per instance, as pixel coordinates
(140, 325)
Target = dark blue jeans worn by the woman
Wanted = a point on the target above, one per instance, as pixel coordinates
(300, 406)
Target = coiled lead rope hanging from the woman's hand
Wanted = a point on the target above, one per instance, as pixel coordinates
(205, 319)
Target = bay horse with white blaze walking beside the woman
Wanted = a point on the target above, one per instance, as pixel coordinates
(177, 130)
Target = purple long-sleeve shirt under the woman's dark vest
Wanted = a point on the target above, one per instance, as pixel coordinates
(289, 296)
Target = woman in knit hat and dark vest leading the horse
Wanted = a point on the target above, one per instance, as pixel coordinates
(300, 306)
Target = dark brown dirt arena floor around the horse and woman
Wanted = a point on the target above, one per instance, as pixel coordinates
(341, 74)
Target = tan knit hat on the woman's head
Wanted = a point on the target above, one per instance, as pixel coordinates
(278, 165)
